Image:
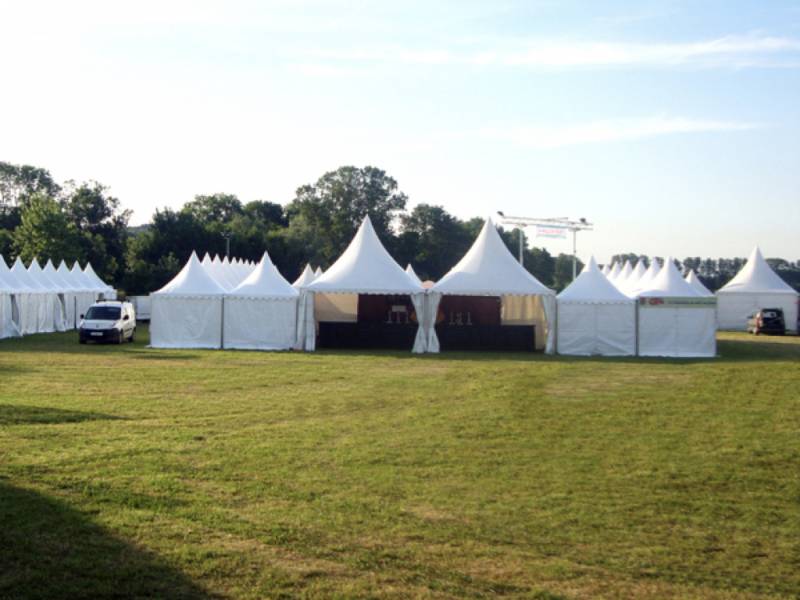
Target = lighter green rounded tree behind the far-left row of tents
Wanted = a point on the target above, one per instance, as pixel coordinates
(45, 232)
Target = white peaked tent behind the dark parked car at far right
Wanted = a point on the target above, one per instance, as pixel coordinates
(754, 287)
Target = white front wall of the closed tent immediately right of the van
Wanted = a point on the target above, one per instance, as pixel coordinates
(185, 322)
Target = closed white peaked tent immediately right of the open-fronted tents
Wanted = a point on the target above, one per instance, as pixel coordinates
(594, 317)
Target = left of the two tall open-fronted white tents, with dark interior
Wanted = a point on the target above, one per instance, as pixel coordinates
(363, 300)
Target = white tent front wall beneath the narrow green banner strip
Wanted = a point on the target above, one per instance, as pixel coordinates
(677, 331)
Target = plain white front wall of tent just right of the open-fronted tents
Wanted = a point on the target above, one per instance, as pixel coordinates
(596, 329)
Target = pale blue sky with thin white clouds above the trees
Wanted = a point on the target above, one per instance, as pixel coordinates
(672, 126)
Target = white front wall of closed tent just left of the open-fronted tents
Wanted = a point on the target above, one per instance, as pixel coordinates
(260, 323)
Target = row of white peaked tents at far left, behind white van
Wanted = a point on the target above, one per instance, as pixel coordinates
(36, 299)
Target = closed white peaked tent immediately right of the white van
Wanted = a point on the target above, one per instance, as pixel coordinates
(187, 312)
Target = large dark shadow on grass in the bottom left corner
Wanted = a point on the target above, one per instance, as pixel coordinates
(52, 551)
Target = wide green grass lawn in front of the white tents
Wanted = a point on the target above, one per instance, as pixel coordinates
(126, 471)
